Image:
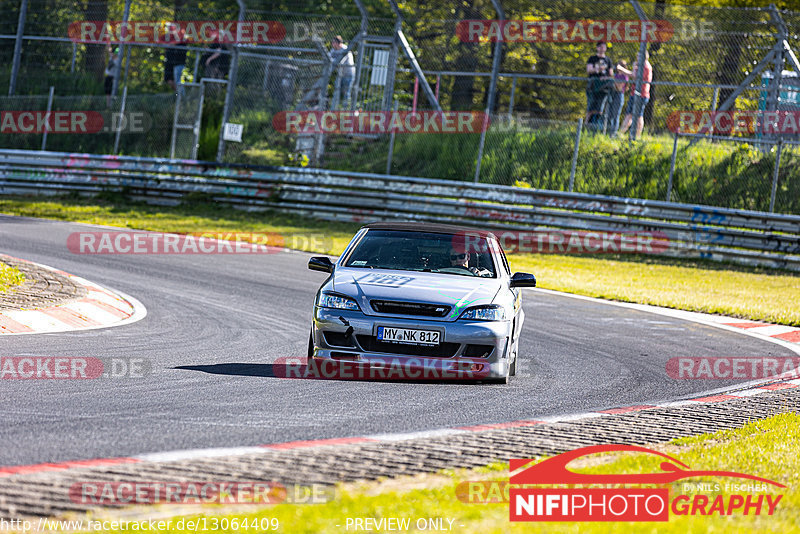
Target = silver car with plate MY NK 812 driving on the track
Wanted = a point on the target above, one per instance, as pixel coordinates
(420, 301)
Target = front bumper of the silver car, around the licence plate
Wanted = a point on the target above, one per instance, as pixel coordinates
(467, 349)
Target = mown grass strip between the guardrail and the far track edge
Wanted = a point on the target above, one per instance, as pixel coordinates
(746, 292)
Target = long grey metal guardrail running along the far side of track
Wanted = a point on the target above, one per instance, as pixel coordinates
(749, 237)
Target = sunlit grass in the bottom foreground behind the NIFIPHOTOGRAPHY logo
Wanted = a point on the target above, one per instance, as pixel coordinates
(766, 448)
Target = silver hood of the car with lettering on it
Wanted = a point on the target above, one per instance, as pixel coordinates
(410, 286)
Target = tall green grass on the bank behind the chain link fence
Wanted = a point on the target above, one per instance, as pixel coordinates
(732, 175)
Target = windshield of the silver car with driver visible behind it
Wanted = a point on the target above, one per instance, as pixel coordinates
(423, 251)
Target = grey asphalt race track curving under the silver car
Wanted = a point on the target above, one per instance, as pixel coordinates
(216, 323)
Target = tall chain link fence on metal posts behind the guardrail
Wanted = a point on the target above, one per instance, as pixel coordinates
(702, 59)
